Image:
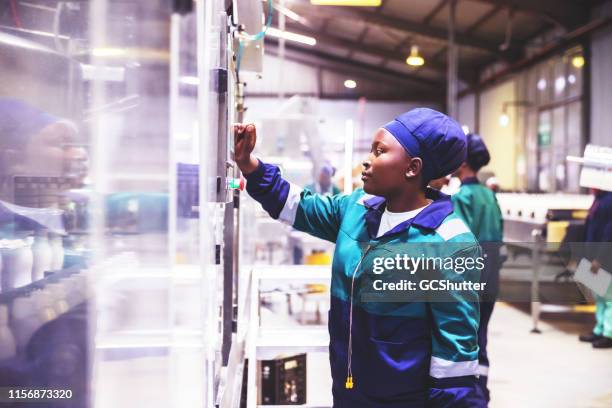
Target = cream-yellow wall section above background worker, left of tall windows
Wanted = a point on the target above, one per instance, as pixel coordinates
(500, 140)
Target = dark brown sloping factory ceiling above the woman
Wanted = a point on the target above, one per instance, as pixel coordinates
(378, 39)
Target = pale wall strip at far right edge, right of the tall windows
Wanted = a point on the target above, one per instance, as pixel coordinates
(601, 82)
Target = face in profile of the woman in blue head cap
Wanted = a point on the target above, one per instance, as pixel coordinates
(385, 170)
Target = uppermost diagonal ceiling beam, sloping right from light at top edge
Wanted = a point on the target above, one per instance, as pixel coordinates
(404, 26)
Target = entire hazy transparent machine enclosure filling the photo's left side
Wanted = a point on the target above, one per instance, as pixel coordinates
(101, 241)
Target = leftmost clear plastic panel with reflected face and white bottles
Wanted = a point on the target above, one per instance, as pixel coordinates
(44, 170)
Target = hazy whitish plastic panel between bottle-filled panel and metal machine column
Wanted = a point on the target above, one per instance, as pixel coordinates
(131, 178)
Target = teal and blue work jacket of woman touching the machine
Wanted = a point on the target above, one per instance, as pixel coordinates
(400, 354)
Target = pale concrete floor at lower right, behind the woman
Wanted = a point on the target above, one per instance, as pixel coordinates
(551, 369)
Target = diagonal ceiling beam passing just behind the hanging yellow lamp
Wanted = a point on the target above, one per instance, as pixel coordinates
(353, 47)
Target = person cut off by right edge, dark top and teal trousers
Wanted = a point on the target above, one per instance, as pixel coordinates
(598, 230)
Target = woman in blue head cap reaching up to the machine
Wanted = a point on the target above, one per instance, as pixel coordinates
(395, 355)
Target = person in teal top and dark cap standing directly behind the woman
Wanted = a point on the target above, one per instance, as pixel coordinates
(478, 207)
